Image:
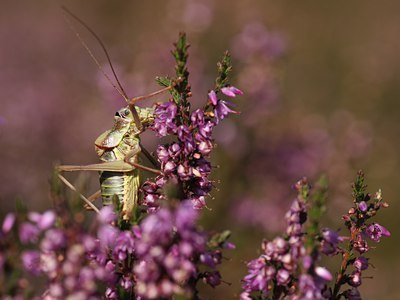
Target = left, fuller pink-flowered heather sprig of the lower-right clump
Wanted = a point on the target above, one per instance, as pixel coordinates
(286, 267)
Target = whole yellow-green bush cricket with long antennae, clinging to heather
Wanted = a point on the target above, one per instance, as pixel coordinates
(119, 147)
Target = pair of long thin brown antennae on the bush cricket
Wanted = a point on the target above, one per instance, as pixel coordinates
(119, 89)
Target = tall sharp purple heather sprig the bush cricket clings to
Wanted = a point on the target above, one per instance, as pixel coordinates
(185, 160)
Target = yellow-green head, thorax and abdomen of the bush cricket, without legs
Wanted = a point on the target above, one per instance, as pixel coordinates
(122, 144)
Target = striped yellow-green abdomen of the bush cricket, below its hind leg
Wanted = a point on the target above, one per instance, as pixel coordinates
(123, 185)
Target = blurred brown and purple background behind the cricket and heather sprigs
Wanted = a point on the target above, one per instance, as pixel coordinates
(321, 83)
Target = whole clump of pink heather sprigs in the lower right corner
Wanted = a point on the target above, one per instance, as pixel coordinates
(290, 266)
